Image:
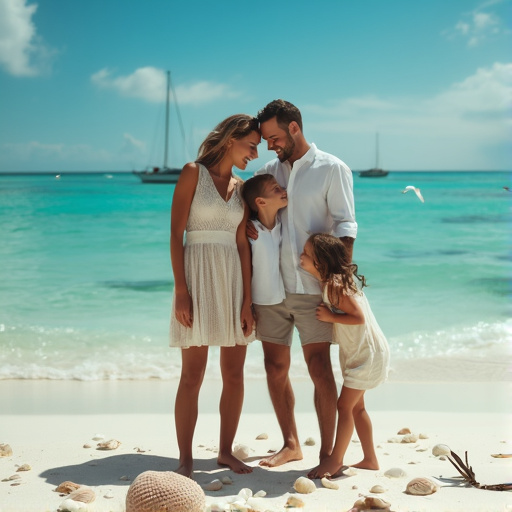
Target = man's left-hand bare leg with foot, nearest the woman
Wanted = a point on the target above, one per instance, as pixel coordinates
(277, 365)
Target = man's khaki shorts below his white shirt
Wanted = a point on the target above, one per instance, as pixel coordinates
(275, 323)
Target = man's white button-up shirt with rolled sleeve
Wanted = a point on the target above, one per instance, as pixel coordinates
(320, 200)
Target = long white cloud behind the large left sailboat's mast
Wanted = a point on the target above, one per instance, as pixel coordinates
(149, 84)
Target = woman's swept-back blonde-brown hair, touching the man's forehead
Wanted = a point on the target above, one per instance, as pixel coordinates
(214, 147)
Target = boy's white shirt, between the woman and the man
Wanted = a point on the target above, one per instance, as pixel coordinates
(267, 286)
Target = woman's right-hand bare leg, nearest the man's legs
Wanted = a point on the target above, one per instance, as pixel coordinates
(232, 361)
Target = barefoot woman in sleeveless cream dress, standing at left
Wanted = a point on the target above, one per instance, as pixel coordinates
(212, 281)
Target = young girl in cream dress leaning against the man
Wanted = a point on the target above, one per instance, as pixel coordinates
(364, 351)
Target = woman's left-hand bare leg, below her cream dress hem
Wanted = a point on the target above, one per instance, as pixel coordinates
(185, 408)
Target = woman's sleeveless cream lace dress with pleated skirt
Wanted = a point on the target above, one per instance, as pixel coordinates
(212, 269)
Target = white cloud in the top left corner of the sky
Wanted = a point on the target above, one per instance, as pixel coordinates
(22, 53)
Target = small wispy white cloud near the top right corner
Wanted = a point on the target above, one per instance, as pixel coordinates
(476, 26)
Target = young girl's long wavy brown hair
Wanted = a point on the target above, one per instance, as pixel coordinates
(334, 267)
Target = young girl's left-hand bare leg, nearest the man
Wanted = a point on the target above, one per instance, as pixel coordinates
(346, 403)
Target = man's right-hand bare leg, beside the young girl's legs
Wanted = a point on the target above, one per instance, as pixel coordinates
(318, 359)
